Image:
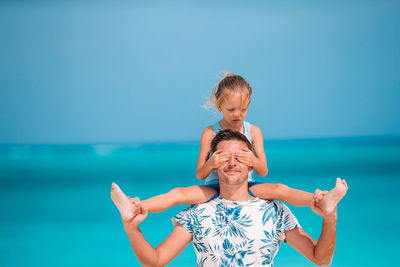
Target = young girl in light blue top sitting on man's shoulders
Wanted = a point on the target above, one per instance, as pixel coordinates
(232, 98)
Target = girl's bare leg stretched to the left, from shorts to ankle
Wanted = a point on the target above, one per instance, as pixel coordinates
(186, 195)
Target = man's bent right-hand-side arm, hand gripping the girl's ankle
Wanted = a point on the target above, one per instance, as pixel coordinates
(321, 252)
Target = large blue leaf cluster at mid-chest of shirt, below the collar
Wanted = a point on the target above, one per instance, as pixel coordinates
(228, 221)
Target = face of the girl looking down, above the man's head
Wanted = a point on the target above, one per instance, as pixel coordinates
(232, 108)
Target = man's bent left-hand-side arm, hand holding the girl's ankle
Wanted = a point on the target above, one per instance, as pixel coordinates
(169, 249)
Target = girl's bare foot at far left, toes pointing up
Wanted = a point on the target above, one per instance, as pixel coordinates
(124, 205)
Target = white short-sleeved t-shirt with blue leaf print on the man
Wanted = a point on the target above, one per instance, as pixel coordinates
(237, 233)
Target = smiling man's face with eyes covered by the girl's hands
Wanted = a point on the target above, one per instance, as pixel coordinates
(232, 172)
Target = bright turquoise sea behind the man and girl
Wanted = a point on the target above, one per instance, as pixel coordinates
(56, 208)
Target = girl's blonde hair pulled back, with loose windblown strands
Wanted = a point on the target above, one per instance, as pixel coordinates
(230, 82)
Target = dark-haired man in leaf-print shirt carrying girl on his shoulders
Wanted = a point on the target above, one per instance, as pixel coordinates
(232, 229)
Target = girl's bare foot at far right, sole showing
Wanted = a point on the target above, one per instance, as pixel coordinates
(328, 203)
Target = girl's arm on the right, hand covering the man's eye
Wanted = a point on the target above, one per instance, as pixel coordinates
(258, 160)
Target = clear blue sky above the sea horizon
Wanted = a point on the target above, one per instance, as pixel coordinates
(140, 71)
